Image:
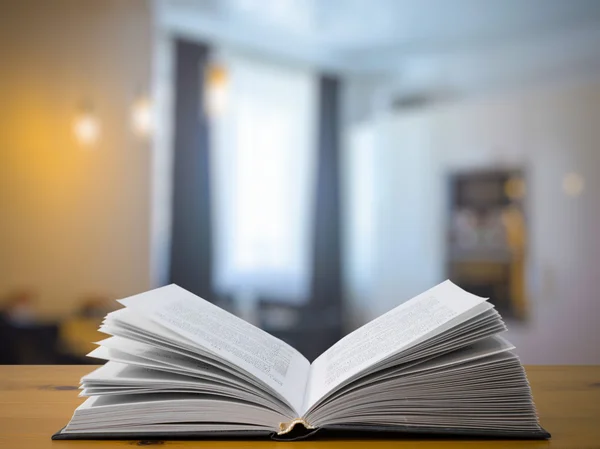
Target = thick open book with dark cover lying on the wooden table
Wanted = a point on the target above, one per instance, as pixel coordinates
(178, 366)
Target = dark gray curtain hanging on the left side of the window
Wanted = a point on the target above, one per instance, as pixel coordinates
(191, 247)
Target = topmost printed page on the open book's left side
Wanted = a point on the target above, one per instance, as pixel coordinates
(265, 357)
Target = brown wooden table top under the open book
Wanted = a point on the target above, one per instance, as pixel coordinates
(36, 401)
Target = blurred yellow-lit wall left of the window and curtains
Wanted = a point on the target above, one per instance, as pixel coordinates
(73, 221)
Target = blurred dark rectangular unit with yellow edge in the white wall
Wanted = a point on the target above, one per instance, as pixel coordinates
(486, 237)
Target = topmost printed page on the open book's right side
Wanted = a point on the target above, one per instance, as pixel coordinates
(397, 330)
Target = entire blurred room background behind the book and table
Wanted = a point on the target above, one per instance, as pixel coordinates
(305, 164)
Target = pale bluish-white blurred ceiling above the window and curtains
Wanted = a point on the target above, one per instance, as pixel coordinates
(420, 43)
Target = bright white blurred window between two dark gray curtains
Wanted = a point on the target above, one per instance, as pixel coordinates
(263, 157)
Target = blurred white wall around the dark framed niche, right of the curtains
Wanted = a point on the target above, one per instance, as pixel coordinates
(551, 130)
